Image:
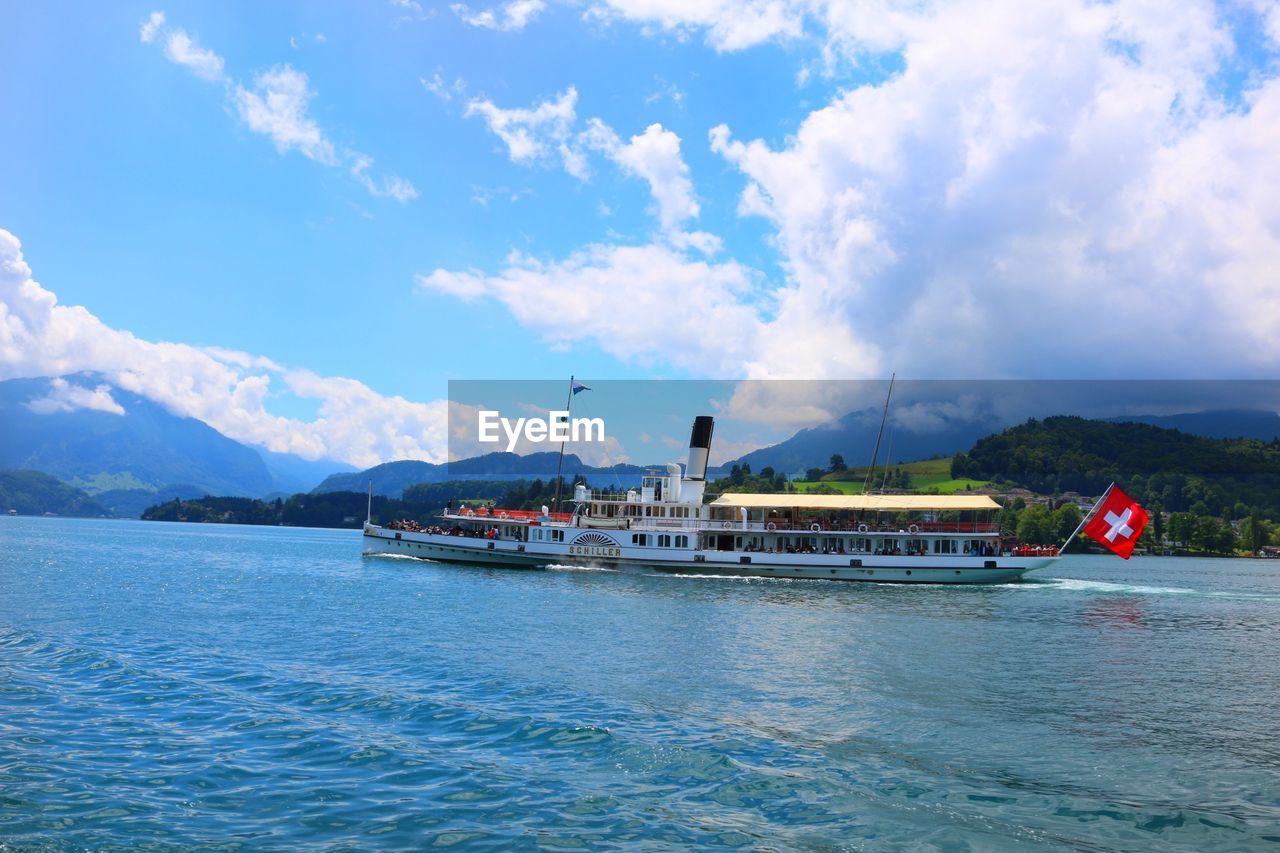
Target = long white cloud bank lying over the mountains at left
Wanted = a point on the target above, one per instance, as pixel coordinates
(227, 390)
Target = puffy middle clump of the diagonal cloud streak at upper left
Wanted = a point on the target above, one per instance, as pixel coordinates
(277, 108)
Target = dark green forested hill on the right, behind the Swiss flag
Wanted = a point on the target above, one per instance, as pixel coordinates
(1164, 468)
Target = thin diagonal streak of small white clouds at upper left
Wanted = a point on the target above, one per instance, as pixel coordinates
(276, 106)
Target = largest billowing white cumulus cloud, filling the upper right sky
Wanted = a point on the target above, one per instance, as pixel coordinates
(1031, 166)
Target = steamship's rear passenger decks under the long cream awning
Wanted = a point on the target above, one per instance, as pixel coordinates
(857, 524)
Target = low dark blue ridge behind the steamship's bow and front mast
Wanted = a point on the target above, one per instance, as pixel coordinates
(392, 478)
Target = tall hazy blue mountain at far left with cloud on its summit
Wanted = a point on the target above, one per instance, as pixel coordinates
(130, 459)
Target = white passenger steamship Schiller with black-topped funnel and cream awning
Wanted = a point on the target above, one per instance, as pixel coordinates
(668, 526)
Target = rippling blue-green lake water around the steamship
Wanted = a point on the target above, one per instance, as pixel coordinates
(167, 685)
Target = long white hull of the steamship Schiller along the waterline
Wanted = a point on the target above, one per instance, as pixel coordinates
(870, 568)
